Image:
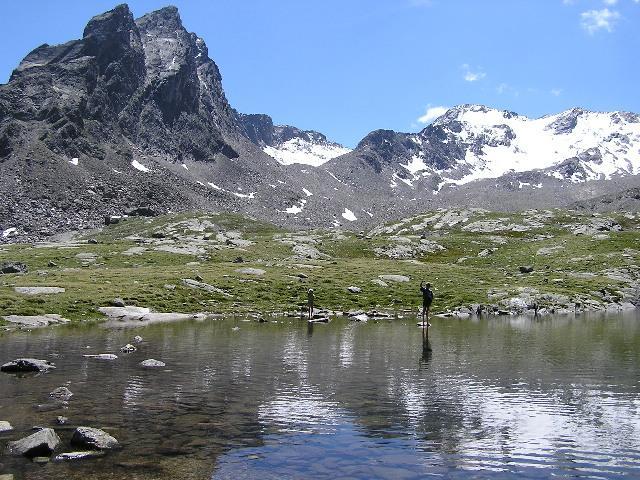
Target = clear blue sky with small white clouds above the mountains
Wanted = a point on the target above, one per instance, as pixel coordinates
(346, 67)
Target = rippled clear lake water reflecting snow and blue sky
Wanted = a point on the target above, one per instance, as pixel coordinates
(555, 397)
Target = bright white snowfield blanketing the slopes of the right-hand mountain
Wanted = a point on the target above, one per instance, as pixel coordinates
(496, 142)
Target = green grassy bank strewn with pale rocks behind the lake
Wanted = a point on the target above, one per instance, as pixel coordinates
(470, 256)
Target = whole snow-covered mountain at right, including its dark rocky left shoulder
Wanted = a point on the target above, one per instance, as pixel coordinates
(474, 142)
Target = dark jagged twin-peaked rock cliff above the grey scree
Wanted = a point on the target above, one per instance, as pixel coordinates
(148, 82)
